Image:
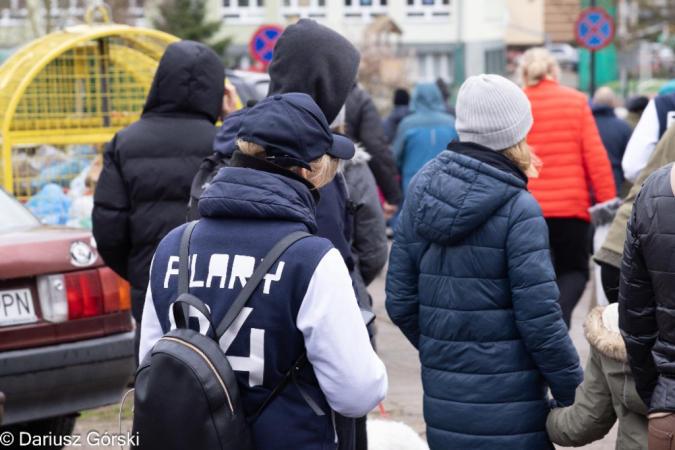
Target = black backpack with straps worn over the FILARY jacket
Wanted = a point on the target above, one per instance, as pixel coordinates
(186, 394)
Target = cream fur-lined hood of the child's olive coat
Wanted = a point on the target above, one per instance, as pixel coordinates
(598, 334)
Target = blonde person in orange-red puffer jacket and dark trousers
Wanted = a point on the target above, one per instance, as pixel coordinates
(564, 136)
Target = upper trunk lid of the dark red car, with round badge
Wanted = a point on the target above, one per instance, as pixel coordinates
(46, 249)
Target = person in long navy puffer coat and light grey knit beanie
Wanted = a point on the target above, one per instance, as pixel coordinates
(471, 284)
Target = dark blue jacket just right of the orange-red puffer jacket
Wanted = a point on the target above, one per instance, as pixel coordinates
(615, 134)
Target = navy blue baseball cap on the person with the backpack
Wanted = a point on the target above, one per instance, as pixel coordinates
(293, 131)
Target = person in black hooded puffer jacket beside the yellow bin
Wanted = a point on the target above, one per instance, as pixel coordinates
(148, 166)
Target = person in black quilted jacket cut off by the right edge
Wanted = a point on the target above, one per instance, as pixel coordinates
(647, 301)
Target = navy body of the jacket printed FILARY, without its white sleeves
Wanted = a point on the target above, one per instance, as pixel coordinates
(244, 213)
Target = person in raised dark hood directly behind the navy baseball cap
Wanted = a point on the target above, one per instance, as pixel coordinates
(312, 59)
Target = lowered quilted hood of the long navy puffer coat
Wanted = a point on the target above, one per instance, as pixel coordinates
(454, 194)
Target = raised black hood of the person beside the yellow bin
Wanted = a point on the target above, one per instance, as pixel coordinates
(190, 79)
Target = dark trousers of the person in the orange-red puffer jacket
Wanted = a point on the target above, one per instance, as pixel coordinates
(570, 251)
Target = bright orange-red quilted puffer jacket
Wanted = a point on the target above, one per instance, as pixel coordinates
(564, 136)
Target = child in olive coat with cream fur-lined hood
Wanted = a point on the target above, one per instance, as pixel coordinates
(607, 393)
